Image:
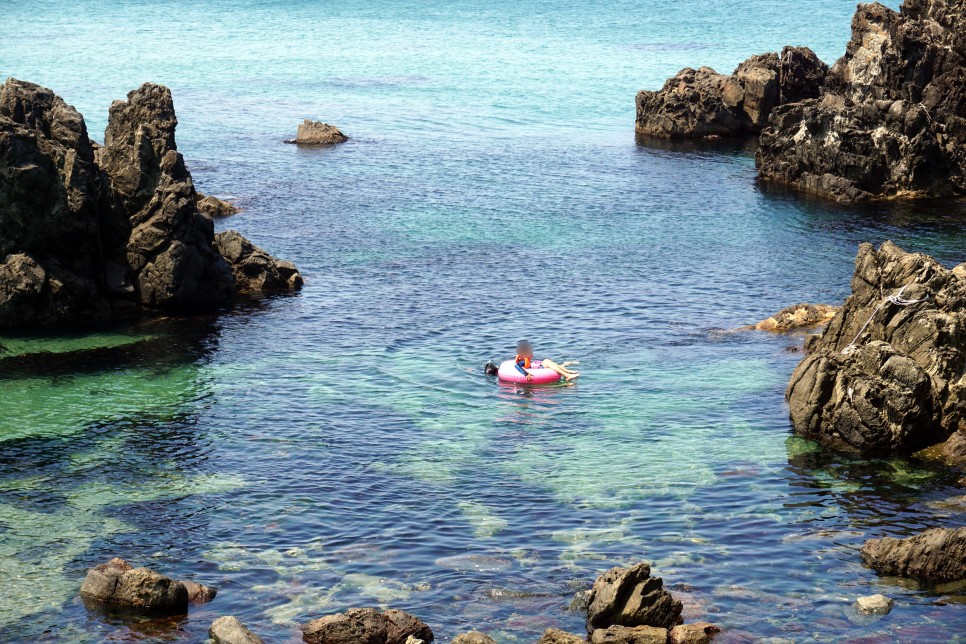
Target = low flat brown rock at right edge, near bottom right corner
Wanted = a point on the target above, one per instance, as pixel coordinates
(935, 555)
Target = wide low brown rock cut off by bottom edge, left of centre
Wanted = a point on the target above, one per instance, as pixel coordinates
(366, 626)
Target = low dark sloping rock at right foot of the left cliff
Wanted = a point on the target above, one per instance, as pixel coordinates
(254, 270)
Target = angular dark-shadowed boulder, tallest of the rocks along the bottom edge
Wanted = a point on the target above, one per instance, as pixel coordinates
(631, 597)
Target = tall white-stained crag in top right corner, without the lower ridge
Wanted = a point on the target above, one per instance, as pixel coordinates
(892, 118)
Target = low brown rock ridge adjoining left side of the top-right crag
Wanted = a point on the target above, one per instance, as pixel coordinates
(701, 103)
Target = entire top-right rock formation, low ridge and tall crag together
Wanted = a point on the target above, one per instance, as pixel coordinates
(886, 121)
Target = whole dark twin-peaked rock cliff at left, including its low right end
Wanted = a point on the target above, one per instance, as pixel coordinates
(91, 233)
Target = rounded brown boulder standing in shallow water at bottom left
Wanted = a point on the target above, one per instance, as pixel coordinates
(117, 585)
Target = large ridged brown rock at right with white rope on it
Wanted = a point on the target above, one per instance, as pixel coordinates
(888, 376)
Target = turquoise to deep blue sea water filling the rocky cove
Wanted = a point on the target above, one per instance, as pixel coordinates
(341, 447)
